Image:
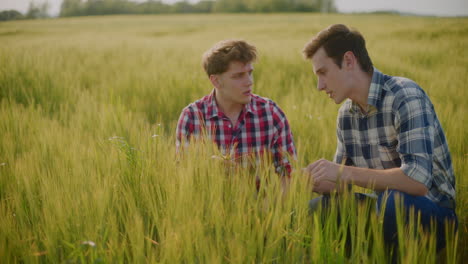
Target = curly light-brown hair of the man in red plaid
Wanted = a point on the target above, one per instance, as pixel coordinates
(217, 59)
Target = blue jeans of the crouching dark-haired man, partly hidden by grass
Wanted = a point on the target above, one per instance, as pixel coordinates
(427, 208)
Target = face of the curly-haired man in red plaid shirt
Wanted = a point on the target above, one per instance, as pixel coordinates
(235, 85)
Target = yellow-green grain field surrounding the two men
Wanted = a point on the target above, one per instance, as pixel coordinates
(88, 108)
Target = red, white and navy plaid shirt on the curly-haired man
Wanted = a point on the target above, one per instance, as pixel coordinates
(261, 126)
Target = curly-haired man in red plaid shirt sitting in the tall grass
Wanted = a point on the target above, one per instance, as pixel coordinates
(241, 123)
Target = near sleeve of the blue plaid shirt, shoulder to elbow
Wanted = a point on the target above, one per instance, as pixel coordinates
(414, 122)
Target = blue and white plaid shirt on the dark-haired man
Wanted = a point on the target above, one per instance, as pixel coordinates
(399, 129)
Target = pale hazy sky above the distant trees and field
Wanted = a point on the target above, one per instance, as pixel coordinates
(421, 7)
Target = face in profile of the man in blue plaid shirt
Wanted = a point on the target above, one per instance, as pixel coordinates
(331, 78)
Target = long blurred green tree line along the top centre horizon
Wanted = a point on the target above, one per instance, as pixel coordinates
(107, 7)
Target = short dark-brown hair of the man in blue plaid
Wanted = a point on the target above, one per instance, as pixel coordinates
(337, 39)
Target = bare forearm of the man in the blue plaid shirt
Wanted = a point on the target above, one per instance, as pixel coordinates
(381, 180)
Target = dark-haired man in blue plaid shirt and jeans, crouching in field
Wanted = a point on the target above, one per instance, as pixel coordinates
(389, 138)
